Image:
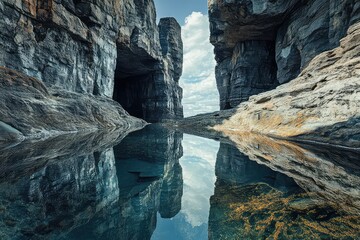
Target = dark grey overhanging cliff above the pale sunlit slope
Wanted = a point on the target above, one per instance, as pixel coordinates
(261, 44)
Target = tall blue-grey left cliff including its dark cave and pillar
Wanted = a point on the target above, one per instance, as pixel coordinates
(90, 47)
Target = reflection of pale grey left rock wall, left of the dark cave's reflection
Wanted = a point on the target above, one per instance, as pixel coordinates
(51, 187)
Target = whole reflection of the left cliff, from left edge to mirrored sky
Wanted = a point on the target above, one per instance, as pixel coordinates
(75, 187)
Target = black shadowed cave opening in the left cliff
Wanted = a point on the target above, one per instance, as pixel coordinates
(134, 85)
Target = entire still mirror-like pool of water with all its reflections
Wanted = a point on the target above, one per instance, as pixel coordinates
(161, 184)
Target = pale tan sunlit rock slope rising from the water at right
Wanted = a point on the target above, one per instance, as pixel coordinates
(322, 104)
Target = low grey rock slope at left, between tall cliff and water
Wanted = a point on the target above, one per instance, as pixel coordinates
(28, 109)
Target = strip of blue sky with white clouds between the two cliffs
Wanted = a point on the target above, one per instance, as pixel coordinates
(200, 94)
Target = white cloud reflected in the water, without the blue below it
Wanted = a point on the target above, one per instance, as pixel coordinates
(198, 165)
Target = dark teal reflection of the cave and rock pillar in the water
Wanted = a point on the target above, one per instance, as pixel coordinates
(149, 182)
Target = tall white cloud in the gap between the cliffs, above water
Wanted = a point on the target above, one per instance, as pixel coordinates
(198, 78)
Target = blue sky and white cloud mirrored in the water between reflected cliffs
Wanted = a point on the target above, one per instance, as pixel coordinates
(198, 164)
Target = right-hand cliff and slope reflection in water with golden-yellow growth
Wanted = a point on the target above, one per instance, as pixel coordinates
(268, 188)
